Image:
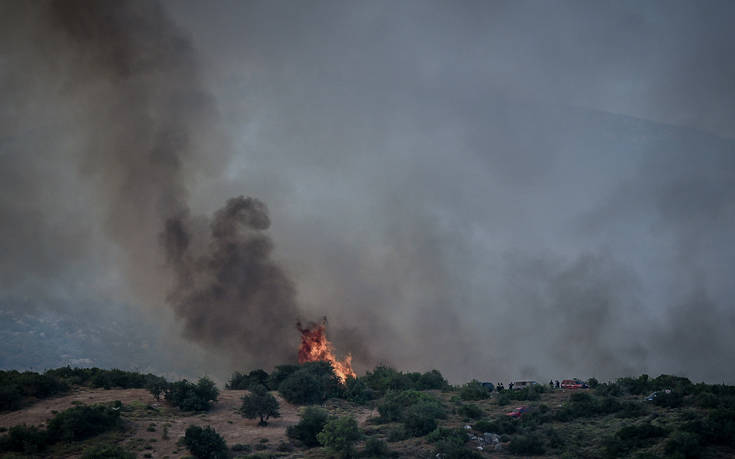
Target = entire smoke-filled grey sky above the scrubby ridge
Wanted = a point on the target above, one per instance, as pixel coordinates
(499, 190)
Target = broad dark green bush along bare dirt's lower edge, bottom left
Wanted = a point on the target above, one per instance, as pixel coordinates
(81, 422)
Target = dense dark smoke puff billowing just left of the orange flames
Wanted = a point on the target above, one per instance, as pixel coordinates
(233, 295)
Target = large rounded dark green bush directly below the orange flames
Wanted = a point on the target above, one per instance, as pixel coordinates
(312, 383)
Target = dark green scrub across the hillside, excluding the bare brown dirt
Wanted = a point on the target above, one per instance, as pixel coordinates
(413, 414)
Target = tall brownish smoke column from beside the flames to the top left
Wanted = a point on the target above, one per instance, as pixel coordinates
(145, 128)
